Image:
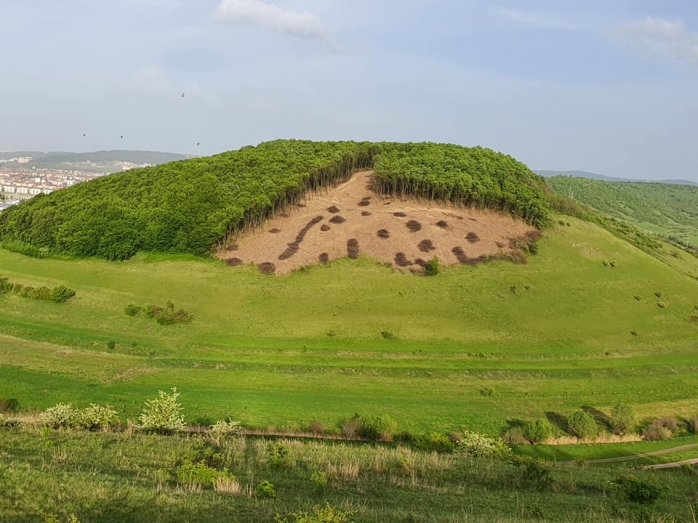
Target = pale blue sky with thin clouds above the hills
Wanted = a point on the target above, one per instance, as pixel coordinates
(608, 86)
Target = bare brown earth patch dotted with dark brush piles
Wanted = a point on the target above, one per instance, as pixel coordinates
(454, 234)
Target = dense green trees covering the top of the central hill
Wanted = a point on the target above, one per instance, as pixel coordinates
(193, 205)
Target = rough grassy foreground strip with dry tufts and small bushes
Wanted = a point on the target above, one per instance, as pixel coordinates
(48, 475)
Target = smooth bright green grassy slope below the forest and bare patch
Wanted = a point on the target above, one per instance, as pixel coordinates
(549, 336)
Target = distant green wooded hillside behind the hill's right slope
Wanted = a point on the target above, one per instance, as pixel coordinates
(665, 209)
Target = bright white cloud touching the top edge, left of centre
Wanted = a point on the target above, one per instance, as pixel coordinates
(273, 18)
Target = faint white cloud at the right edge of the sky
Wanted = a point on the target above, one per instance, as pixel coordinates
(664, 38)
